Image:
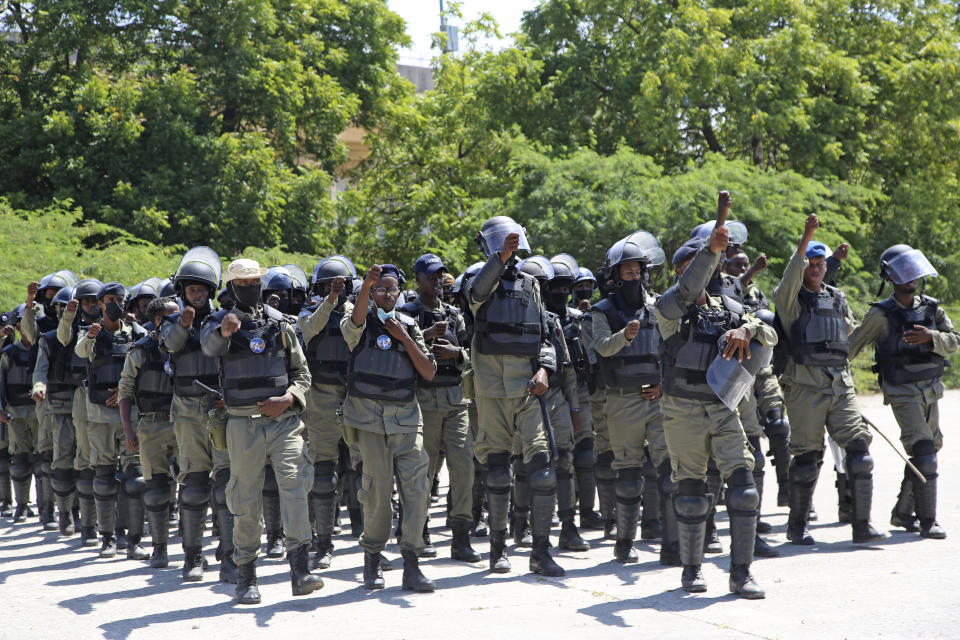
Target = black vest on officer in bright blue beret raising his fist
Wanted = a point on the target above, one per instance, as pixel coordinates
(819, 336)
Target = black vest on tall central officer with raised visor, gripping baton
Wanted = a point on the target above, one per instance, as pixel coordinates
(510, 322)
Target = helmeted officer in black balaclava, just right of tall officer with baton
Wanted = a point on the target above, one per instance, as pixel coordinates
(628, 348)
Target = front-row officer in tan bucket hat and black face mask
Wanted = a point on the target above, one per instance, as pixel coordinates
(264, 377)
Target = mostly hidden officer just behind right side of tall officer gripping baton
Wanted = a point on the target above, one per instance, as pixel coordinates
(563, 405)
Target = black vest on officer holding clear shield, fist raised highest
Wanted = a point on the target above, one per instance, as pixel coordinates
(688, 353)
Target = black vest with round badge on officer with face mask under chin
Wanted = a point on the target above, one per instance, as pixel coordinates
(380, 367)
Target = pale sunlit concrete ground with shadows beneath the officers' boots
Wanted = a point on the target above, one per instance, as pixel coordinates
(899, 588)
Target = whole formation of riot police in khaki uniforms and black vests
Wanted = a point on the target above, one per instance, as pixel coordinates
(131, 414)
